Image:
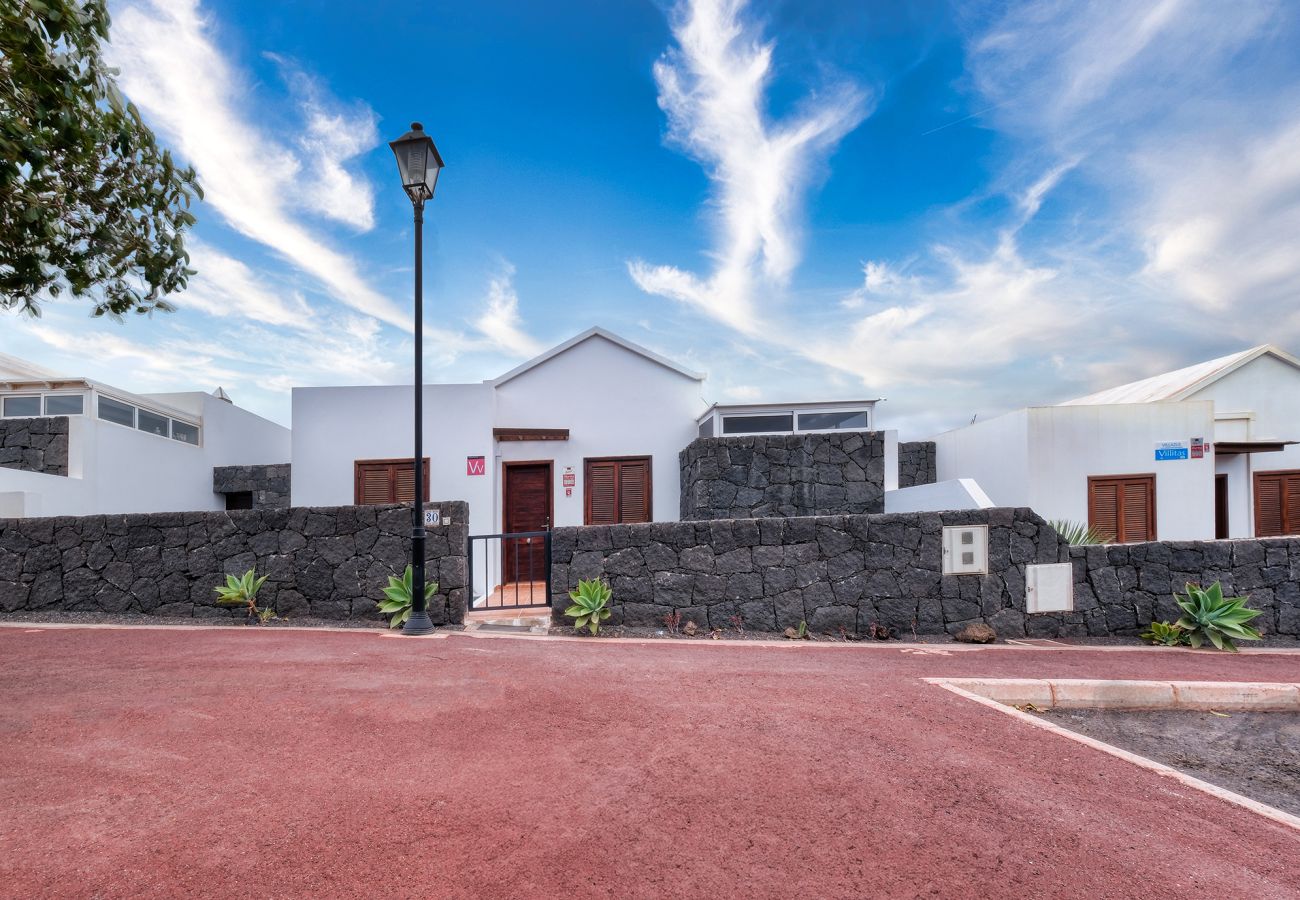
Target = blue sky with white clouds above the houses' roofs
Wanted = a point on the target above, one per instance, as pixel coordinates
(963, 207)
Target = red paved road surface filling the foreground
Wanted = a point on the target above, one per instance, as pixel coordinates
(313, 764)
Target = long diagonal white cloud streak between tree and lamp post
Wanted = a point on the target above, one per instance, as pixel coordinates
(192, 94)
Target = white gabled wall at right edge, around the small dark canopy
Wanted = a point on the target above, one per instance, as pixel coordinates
(1271, 390)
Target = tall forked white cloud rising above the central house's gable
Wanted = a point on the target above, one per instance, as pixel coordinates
(713, 86)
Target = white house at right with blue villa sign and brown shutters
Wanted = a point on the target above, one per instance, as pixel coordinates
(1202, 453)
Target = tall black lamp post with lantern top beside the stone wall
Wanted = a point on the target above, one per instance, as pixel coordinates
(419, 166)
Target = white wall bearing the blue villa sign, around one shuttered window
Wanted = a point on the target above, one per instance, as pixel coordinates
(1068, 444)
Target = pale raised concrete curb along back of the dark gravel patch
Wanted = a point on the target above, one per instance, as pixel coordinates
(1098, 694)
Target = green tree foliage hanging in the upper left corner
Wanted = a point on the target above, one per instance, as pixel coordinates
(89, 202)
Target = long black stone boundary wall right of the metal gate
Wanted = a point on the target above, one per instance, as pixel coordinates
(850, 573)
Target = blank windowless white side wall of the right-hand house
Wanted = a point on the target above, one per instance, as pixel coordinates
(993, 453)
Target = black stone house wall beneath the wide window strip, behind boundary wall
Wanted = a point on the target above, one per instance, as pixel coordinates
(783, 475)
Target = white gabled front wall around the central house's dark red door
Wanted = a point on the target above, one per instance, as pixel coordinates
(616, 404)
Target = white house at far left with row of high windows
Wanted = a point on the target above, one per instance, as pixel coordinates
(125, 452)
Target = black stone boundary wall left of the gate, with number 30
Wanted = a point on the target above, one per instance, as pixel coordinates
(324, 562)
